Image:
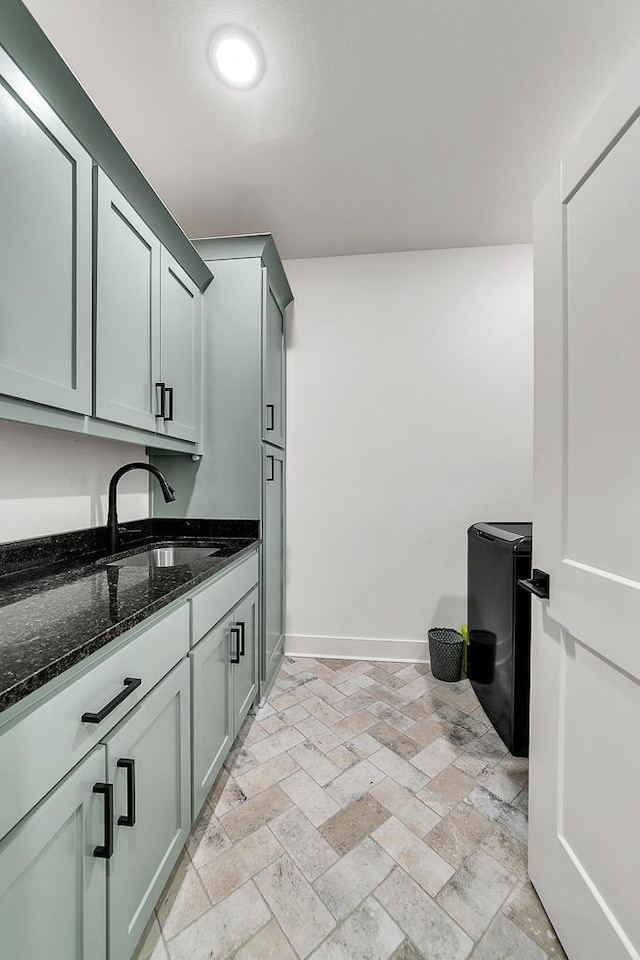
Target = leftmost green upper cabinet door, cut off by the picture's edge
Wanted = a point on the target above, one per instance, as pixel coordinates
(45, 251)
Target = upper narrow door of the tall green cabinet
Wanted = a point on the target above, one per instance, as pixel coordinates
(273, 403)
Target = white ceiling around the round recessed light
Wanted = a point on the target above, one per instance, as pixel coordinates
(380, 125)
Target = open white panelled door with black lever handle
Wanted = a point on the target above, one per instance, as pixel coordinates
(585, 707)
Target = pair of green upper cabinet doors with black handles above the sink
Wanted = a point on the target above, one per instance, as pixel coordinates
(148, 351)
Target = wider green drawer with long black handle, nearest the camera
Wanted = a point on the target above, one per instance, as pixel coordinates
(41, 747)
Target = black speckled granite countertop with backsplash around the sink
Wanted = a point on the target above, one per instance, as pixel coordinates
(58, 605)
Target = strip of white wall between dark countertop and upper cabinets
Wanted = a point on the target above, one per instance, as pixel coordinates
(52, 481)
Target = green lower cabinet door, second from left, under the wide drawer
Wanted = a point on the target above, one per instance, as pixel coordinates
(148, 763)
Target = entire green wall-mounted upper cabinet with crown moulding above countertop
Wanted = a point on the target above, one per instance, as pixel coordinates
(87, 293)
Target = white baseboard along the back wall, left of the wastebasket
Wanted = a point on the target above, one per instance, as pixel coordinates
(357, 648)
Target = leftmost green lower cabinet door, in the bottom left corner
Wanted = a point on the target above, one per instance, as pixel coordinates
(53, 891)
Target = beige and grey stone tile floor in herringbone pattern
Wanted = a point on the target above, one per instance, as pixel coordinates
(368, 812)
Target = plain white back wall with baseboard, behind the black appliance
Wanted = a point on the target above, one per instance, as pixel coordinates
(410, 389)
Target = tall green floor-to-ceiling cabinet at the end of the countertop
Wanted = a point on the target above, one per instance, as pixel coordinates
(242, 472)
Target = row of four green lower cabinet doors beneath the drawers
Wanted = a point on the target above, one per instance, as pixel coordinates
(60, 900)
